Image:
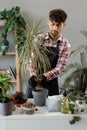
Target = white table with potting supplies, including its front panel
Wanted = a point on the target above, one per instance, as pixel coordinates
(41, 120)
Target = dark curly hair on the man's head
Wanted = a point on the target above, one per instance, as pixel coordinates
(57, 15)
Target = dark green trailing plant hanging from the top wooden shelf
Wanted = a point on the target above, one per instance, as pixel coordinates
(13, 18)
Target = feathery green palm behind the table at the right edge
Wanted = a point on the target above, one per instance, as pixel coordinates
(75, 84)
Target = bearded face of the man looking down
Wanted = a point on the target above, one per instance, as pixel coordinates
(55, 28)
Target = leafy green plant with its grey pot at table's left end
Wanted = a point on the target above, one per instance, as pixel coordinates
(5, 99)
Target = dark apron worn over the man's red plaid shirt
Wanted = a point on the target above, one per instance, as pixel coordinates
(51, 85)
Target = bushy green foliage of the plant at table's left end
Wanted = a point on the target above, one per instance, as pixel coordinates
(5, 85)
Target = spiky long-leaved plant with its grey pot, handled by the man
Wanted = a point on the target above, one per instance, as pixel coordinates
(40, 58)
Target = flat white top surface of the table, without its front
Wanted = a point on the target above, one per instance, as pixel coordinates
(40, 112)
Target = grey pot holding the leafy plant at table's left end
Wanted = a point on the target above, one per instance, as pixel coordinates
(6, 108)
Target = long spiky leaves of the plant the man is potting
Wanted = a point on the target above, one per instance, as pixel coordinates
(35, 46)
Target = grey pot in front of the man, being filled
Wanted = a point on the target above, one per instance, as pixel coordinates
(40, 96)
